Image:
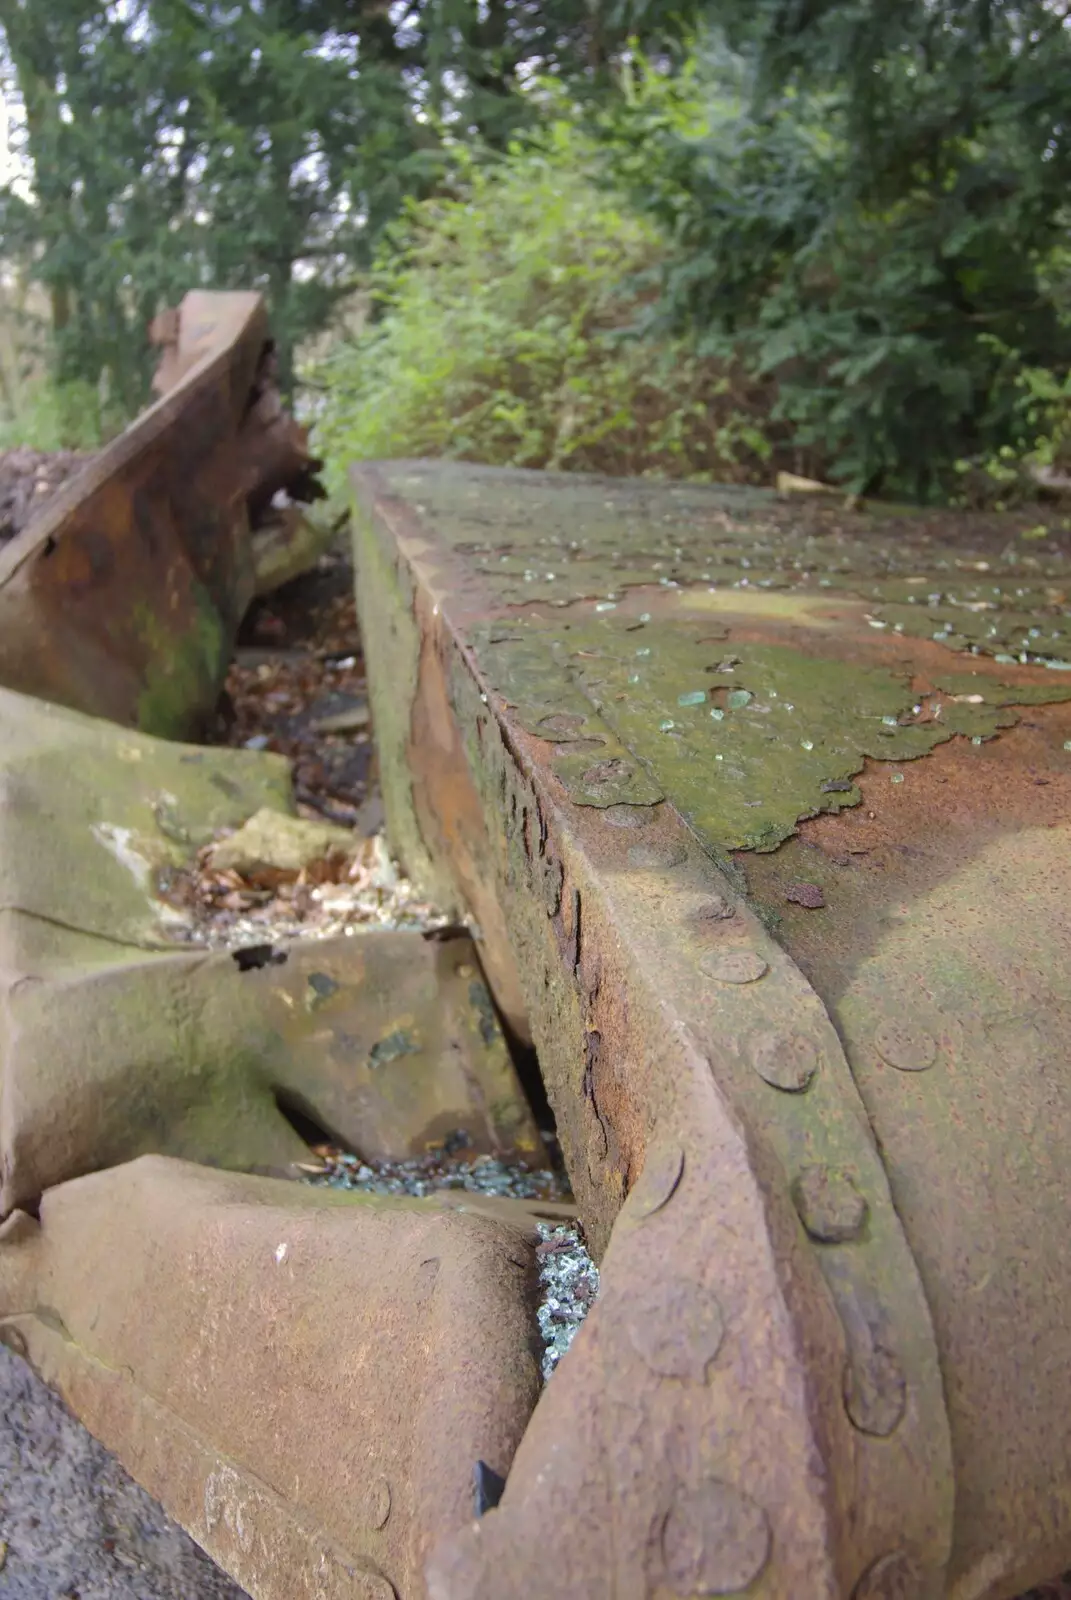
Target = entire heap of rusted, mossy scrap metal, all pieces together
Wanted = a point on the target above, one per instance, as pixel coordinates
(758, 815)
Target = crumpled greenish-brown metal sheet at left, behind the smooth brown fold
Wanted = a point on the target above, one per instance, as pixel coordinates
(113, 1046)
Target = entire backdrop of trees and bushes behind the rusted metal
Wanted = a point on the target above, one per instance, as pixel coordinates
(832, 234)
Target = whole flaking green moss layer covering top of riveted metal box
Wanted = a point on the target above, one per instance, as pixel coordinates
(678, 695)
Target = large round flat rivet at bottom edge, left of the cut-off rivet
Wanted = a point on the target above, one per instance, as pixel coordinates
(715, 1542)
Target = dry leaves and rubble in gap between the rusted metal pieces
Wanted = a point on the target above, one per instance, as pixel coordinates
(326, 871)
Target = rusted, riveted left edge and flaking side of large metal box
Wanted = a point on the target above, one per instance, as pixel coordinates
(705, 1108)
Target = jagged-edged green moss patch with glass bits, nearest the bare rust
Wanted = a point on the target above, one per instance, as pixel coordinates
(745, 743)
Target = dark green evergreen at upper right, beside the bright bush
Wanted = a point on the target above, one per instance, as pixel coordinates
(865, 206)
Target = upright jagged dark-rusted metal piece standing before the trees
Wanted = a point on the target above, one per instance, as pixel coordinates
(122, 598)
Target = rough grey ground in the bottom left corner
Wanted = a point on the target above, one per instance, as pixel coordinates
(73, 1524)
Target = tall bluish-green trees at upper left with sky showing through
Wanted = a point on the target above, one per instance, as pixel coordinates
(252, 143)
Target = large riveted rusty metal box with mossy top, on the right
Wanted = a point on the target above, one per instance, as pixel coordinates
(811, 1078)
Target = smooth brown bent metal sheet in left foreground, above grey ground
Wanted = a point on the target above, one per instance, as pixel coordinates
(305, 1380)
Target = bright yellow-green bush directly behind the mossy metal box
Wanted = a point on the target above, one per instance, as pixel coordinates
(503, 335)
